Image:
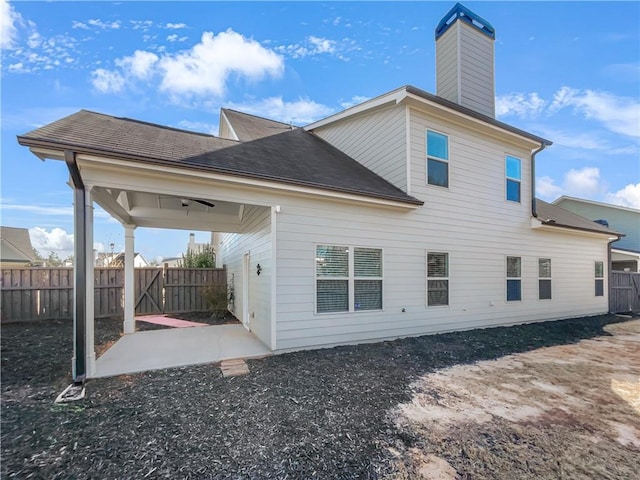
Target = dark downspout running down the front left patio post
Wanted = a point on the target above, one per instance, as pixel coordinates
(80, 270)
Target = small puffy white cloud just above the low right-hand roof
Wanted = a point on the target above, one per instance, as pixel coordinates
(583, 183)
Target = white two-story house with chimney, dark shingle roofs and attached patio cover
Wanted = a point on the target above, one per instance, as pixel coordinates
(408, 214)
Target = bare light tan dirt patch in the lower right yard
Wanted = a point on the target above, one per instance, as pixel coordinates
(569, 411)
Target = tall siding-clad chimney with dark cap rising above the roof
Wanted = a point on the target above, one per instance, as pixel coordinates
(465, 60)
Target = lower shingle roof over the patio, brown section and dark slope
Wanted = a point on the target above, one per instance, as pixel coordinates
(293, 157)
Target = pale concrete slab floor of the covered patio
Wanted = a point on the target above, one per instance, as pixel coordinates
(177, 347)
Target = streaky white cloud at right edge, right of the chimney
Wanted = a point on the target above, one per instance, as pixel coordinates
(618, 114)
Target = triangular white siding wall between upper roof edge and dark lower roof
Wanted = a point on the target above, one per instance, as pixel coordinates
(377, 141)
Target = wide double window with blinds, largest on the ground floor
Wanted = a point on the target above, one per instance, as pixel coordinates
(348, 279)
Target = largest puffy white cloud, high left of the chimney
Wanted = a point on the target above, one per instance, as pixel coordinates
(205, 68)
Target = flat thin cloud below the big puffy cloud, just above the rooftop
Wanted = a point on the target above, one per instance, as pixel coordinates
(300, 112)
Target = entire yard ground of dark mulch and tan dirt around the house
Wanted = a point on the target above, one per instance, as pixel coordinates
(514, 403)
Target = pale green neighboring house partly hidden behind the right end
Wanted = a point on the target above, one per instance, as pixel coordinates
(625, 253)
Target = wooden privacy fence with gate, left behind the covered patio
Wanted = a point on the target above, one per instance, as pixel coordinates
(42, 293)
